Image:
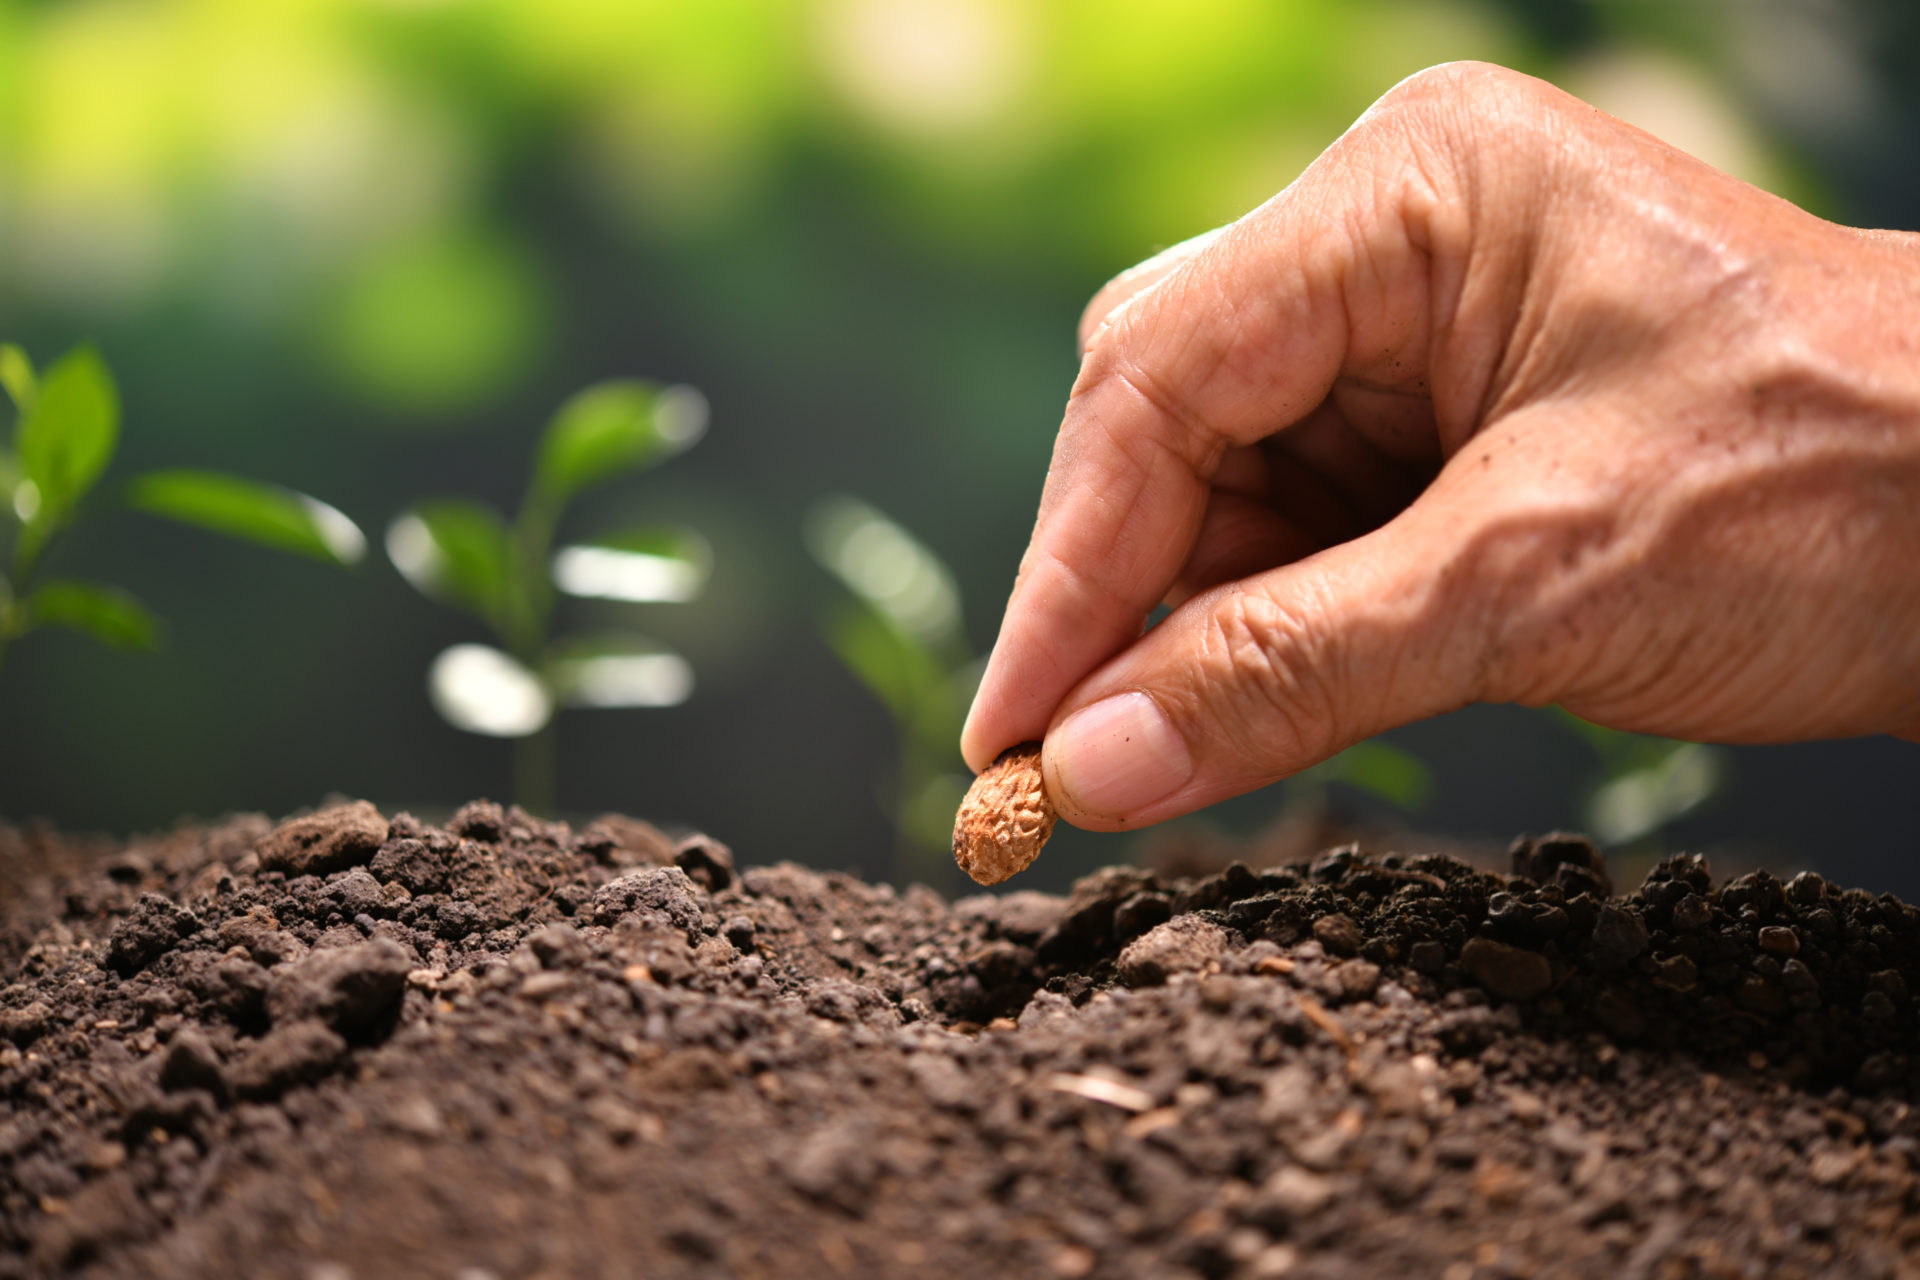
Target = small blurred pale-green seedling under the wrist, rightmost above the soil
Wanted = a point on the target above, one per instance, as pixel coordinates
(1644, 782)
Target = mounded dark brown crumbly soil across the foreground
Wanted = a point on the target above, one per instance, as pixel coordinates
(366, 1047)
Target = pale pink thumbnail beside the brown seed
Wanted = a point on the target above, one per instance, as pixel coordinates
(1118, 757)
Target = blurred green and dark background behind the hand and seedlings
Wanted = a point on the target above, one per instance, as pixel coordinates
(368, 247)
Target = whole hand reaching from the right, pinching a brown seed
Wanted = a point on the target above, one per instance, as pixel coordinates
(1502, 402)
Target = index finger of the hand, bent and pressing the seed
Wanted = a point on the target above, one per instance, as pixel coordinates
(1247, 337)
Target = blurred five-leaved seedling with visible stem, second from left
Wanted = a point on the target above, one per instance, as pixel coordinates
(508, 575)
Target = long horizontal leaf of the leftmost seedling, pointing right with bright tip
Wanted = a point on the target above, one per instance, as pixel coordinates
(251, 511)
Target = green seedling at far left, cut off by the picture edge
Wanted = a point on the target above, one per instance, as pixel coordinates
(66, 429)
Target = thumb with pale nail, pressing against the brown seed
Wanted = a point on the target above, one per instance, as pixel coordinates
(1266, 676)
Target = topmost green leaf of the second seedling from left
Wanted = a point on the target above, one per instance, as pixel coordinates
(615, 427)
